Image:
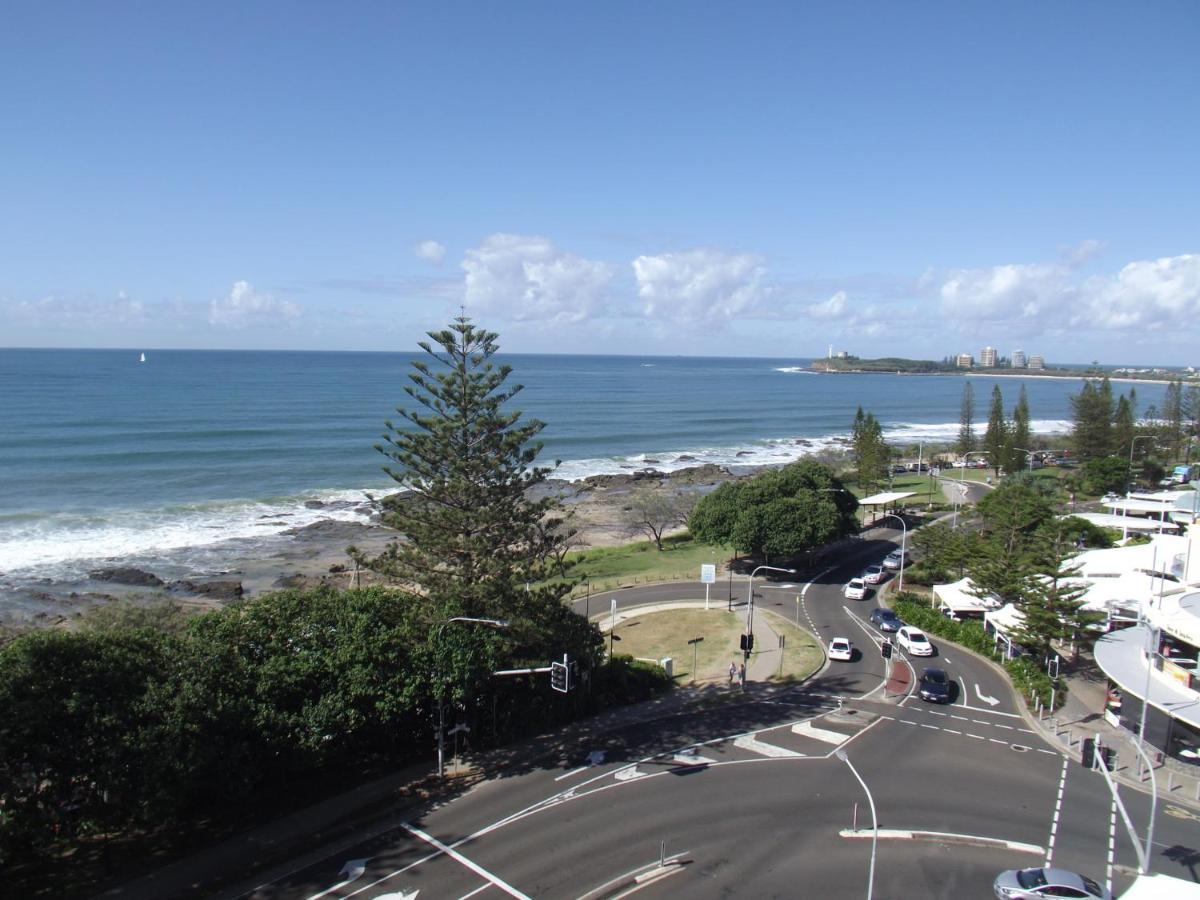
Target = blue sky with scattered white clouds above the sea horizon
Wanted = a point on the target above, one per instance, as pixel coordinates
(670, 178)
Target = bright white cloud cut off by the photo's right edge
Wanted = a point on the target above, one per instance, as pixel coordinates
(1151, 295)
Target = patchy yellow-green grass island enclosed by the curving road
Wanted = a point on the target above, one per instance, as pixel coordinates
(667, 634)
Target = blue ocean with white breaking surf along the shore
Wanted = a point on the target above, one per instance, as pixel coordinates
(178, 459)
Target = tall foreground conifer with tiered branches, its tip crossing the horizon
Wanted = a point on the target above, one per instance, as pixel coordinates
(473, 537)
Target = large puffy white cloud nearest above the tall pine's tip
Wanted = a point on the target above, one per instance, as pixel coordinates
(530, 279)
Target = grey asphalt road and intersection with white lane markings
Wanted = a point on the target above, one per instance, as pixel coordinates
(749, 799)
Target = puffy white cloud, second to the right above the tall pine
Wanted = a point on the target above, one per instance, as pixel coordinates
(700, 286)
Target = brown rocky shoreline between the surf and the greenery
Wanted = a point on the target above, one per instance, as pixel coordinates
(316, 554)
